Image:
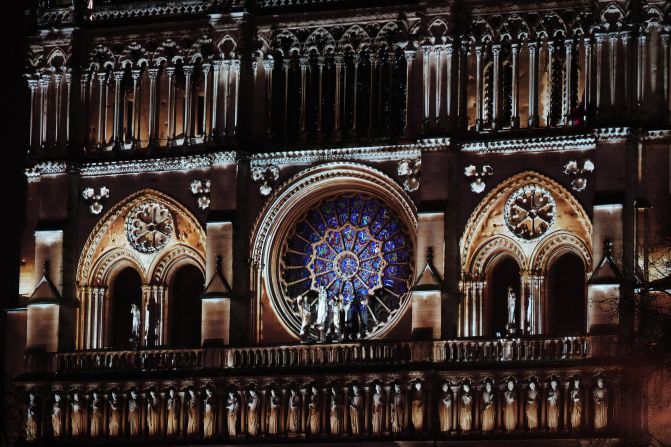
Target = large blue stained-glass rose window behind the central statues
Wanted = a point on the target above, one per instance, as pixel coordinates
(352, 245)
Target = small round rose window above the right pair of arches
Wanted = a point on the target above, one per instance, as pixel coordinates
(530, 211)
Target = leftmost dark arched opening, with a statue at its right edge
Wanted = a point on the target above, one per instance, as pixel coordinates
(125, 290)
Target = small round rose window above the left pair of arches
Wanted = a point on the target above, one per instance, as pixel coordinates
(149, 227)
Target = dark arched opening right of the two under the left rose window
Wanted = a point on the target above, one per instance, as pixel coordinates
(185, 309)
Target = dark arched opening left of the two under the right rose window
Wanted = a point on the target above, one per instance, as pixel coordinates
(503, 273)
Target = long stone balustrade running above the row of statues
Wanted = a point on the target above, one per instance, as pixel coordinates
(531, 349)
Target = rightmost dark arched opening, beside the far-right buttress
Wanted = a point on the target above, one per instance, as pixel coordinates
(566, 309)
